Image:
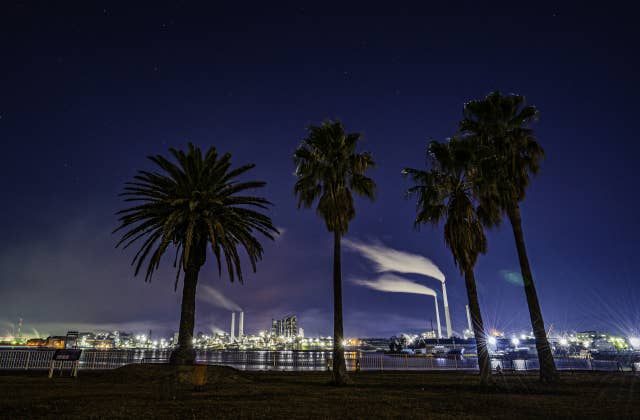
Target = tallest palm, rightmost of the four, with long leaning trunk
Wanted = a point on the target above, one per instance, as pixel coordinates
(507, 155)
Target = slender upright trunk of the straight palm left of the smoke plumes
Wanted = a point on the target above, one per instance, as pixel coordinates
(339, 365)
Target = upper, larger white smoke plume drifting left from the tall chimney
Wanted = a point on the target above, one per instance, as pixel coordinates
(389, 259)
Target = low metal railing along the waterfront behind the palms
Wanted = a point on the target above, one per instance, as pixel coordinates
(34, 359)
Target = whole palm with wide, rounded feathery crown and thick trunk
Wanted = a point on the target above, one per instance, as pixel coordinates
(190, 205)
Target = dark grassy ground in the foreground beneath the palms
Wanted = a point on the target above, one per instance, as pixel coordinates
(147, 391)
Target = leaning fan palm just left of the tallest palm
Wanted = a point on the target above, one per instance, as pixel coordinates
(445, 192)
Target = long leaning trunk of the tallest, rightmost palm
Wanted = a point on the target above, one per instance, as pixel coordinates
(548, 371)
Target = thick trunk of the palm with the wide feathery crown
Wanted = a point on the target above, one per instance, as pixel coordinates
(184, 353)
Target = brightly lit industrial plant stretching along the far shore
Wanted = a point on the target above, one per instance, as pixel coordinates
(285, 335)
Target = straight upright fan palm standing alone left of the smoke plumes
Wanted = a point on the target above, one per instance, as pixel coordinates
(329, 171)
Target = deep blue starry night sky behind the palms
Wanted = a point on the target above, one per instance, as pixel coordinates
(87, 93)
